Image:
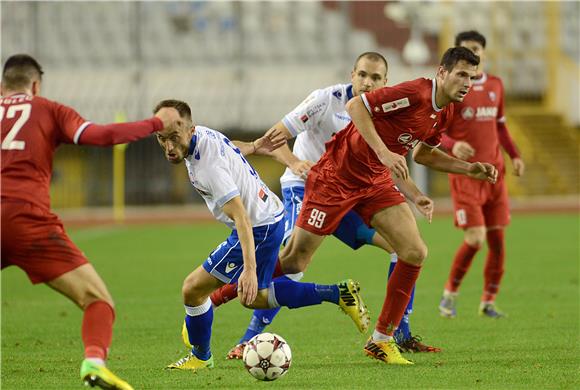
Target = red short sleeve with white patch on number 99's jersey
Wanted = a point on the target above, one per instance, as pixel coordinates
(387, 101)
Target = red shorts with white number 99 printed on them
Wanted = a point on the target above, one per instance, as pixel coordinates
(328, 197)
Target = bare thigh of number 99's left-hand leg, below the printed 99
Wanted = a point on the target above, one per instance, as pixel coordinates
(297, 254)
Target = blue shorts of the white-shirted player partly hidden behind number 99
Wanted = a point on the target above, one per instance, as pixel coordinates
(352, 230)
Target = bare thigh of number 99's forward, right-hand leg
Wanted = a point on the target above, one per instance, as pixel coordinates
(398, 226)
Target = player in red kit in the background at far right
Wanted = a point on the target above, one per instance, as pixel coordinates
(481, 210)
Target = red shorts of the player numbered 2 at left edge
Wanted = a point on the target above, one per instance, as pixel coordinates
(34, 240)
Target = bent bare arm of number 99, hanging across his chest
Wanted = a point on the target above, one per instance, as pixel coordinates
(364, 124)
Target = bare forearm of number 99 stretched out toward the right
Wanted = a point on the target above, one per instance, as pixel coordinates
(441, 161)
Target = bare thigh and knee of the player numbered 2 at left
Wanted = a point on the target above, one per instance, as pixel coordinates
(83, 285)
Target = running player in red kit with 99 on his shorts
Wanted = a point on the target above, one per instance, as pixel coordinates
(355, 174)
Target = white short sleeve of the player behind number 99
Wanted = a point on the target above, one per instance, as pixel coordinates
(307, 114)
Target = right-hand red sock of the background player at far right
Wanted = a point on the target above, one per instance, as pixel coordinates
(493, 271)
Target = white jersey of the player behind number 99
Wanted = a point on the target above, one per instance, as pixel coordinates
(313, 122)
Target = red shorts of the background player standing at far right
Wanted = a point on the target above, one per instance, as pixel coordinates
(478, 202)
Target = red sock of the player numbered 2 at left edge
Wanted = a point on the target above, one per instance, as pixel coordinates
(97, 330)
